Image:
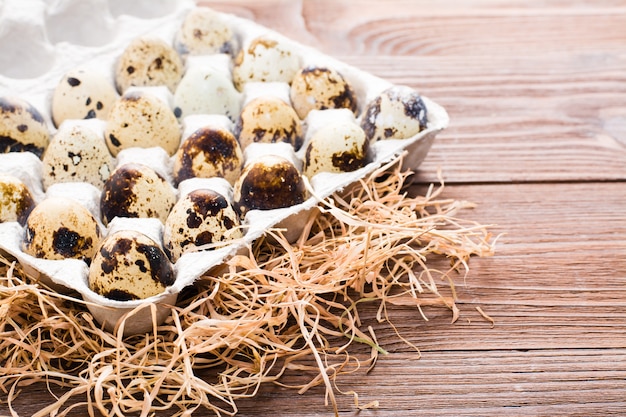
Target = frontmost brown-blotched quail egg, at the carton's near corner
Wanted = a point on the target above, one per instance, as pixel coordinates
(128, 265)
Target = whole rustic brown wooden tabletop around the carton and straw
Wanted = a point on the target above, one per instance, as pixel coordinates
(536, 92)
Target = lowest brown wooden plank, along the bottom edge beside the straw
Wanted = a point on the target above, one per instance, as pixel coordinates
(504, 383)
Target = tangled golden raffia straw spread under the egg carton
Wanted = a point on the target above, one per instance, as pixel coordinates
(269, 312)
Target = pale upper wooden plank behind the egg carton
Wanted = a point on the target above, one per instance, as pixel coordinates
(550, 110)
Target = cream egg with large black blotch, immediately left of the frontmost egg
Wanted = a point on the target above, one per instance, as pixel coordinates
(61, 228)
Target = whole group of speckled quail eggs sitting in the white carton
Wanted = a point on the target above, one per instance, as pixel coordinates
(128, 265)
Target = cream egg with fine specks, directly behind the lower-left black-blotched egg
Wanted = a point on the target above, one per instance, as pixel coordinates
(77, 153)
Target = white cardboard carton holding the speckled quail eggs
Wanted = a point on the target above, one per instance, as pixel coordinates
(49, 39)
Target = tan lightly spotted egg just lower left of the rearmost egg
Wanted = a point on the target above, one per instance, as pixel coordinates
(148, 61)
